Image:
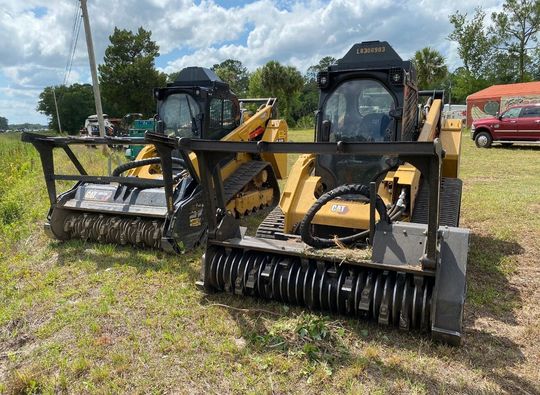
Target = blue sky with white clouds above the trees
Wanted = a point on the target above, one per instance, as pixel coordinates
(36, 36)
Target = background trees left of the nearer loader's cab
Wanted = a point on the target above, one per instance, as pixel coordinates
(128, 75)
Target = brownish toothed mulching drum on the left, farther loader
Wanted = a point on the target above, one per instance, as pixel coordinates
(110, 229)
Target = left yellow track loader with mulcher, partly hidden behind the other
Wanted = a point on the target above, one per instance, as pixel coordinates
(130, 206)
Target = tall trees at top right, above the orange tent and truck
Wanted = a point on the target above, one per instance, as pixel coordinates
(498, 49)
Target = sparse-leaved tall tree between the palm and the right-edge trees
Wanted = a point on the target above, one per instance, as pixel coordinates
(475, 45)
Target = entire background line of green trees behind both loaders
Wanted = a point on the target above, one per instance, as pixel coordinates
(496, 49)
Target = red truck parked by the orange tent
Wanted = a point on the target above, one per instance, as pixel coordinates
(518, 124)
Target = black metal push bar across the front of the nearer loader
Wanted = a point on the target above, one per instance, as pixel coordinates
(425, 156)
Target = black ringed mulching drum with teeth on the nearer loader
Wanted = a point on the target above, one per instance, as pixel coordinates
(388, 297)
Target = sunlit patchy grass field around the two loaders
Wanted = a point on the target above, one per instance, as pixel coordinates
(85, 318)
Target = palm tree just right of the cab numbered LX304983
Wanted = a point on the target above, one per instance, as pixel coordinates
(430, 68)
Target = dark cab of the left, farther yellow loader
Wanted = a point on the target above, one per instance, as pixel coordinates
(197, 105)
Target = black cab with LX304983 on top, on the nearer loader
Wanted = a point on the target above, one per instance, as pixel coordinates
(369, 96)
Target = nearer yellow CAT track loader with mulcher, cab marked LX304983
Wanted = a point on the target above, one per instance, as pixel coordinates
(367, 224)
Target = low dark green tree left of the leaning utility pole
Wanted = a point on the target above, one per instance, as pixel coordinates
(75, 103)
